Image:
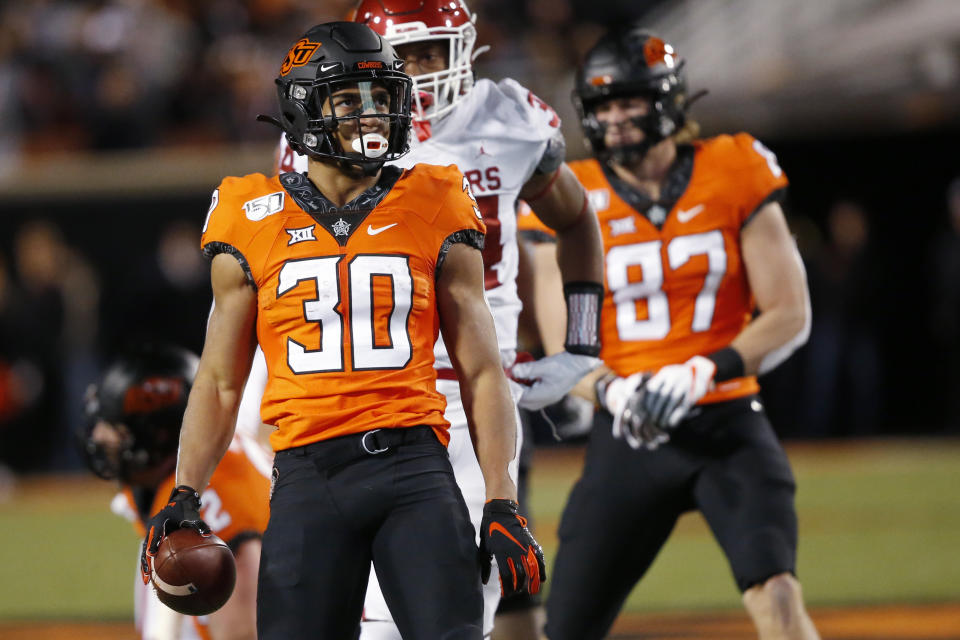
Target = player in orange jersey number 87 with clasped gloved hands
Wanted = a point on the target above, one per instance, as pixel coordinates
(705, 290)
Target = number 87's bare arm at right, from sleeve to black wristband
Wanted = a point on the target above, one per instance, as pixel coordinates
(779, 284)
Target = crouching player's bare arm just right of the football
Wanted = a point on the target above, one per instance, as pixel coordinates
(237, 619)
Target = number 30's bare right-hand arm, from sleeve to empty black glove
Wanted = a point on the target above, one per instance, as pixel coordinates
(470, 336)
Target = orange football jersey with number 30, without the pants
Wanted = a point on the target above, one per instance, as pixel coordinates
(347, 315)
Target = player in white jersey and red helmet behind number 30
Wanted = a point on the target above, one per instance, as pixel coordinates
(507, 142)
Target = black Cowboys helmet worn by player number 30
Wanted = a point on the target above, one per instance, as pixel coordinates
(328, 57)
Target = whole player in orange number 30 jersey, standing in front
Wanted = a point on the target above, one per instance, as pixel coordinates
(345, 276)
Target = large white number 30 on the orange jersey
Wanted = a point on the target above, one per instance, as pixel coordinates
(364, 272)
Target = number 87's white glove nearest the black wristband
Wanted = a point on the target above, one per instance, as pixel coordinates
(674, 389)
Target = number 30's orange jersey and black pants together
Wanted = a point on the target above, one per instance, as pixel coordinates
(347, 319)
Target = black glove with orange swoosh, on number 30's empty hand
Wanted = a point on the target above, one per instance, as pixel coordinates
(504, 535)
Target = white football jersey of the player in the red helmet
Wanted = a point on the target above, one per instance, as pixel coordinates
(496, 136)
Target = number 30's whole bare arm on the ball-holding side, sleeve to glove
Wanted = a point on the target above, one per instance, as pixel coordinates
(211, 413)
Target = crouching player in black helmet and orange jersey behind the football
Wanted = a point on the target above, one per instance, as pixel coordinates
(130, 435)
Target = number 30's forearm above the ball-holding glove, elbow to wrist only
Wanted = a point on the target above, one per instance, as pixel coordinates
(208, 426)
